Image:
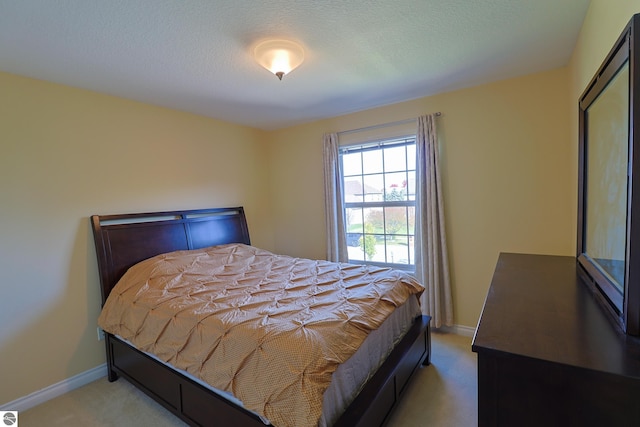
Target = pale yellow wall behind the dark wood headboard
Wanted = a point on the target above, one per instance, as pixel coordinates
(66, 154)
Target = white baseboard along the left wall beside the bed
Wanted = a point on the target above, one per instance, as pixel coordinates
(55, 390)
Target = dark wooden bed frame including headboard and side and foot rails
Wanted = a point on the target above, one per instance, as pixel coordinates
(123, 240)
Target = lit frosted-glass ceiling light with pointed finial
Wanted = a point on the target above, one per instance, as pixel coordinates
(279, 56)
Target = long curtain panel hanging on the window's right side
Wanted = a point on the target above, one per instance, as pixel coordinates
(432, 262)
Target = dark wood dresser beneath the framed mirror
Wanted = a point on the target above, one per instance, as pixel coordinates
(549, 354)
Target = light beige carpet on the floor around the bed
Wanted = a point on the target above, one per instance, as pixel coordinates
(441, 395)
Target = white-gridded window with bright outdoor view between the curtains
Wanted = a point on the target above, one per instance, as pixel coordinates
(379, 182)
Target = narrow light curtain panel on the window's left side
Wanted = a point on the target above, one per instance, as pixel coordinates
(334, 209)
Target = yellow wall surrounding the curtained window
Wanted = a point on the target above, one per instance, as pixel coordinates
(506, 186)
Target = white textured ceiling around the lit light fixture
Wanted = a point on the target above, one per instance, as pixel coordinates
(195, 55)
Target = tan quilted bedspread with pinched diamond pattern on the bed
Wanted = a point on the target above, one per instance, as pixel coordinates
(270, 329)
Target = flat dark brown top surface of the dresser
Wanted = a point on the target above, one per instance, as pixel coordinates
(539, 307)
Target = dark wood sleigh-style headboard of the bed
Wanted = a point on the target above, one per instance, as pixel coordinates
(124, 240)
